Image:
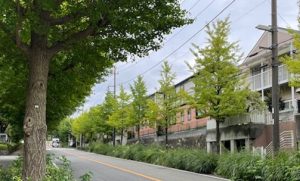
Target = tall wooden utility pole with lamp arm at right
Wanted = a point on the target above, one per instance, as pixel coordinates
(275, 88)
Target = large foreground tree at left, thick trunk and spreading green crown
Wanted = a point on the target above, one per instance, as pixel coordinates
(42, 32)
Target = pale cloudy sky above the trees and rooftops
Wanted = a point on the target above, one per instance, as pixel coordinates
(244, 15)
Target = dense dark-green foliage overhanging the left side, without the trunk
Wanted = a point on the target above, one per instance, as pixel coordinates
(83, 38)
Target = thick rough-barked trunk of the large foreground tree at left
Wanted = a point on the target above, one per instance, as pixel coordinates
(35, 127)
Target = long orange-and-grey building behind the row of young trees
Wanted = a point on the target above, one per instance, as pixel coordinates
(188, 129)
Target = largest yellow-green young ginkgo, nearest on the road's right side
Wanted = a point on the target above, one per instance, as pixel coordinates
(220, 91)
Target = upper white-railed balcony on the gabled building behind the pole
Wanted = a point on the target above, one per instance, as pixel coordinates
(264, 80)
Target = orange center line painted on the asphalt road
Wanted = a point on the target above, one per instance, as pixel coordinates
(115, 167)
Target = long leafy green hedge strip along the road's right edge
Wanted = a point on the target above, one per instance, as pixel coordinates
(245, 166)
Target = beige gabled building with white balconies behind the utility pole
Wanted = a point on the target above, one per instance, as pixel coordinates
(253, 130)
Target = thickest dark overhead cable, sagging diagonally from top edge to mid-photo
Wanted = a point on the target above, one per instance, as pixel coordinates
(184, 43)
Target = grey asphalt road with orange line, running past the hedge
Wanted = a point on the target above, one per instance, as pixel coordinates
(105, 168)
